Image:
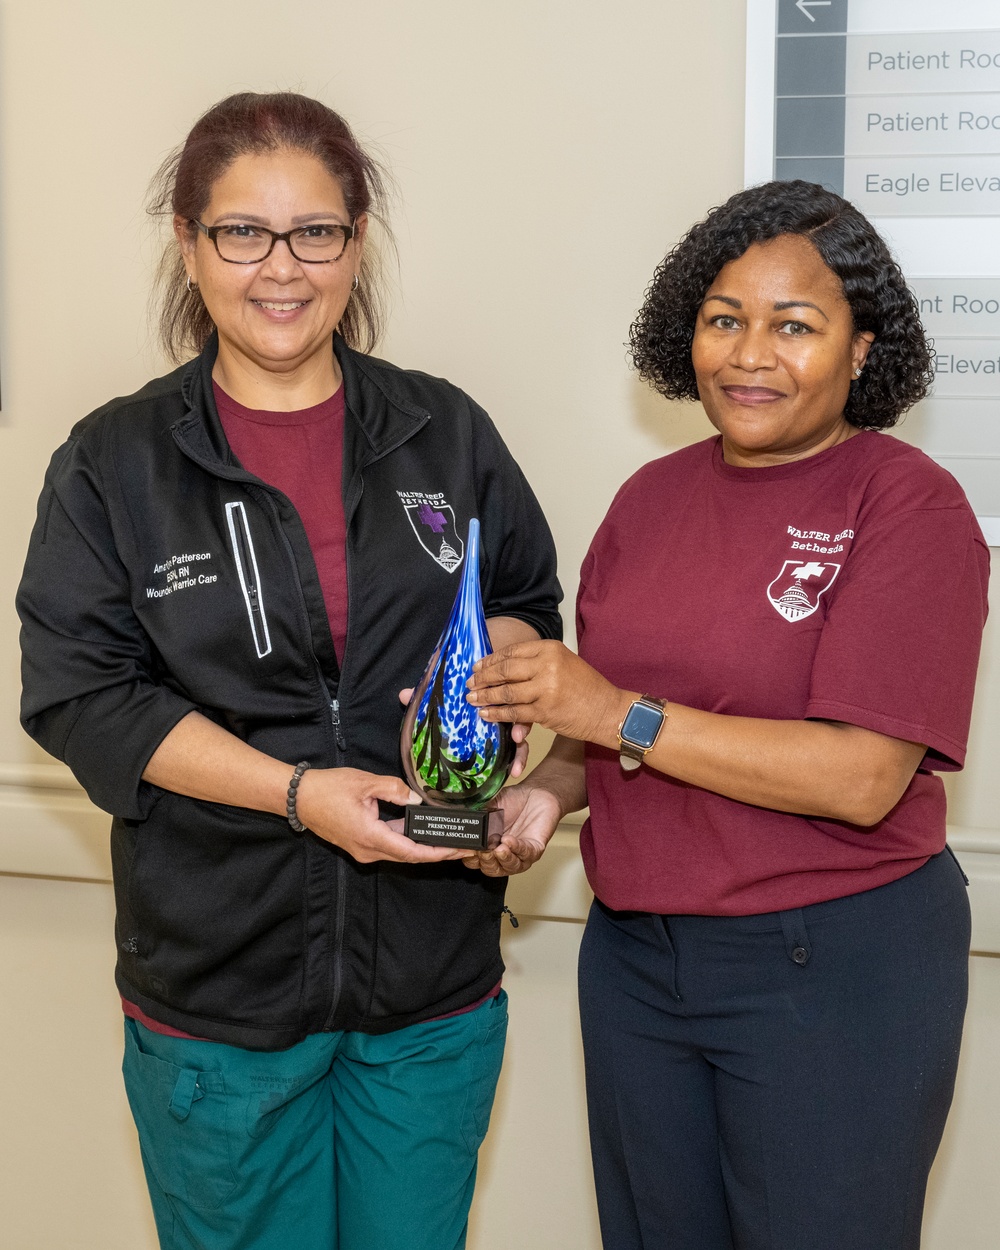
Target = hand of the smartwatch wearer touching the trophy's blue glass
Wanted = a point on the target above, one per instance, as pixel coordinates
(547, 684)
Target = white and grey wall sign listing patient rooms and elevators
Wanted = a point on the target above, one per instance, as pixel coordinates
(896, 104)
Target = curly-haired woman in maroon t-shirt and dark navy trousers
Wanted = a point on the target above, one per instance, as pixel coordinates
(779, 632)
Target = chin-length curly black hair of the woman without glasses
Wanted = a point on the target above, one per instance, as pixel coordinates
(901, 364)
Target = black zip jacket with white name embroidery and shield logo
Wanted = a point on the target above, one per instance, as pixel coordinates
(163, 578)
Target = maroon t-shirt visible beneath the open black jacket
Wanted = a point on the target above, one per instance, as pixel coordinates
(302, 454)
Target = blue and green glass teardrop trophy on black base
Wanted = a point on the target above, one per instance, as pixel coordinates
(452, 758)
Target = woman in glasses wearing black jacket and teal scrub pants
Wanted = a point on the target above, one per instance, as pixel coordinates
(234, 574)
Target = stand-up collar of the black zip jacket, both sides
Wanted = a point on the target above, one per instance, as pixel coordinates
(382, 412)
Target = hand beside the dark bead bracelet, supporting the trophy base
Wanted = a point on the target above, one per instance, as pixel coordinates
(342, 807)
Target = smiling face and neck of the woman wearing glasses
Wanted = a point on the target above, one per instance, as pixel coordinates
(276, 317)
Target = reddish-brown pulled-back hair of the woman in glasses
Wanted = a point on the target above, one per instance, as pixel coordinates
(254, 123)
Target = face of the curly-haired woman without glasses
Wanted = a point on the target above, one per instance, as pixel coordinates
(774, 354)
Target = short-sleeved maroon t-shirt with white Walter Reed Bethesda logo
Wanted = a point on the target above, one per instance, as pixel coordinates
(847, 587)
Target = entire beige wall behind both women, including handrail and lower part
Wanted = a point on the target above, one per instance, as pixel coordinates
(547, 153)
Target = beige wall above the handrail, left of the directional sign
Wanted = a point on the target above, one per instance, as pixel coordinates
(547, 153)
